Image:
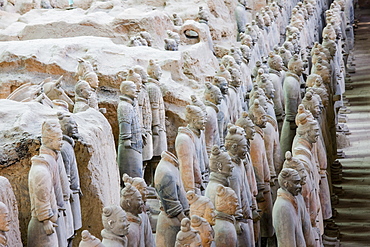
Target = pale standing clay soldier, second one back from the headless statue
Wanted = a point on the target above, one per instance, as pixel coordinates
(213, 98)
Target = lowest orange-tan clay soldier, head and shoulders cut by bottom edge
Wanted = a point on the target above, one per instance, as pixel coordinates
(205, 230)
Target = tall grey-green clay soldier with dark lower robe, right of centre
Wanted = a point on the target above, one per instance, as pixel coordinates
(292, 97)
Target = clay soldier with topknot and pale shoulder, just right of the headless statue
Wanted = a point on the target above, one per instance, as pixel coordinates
(221, 167)
